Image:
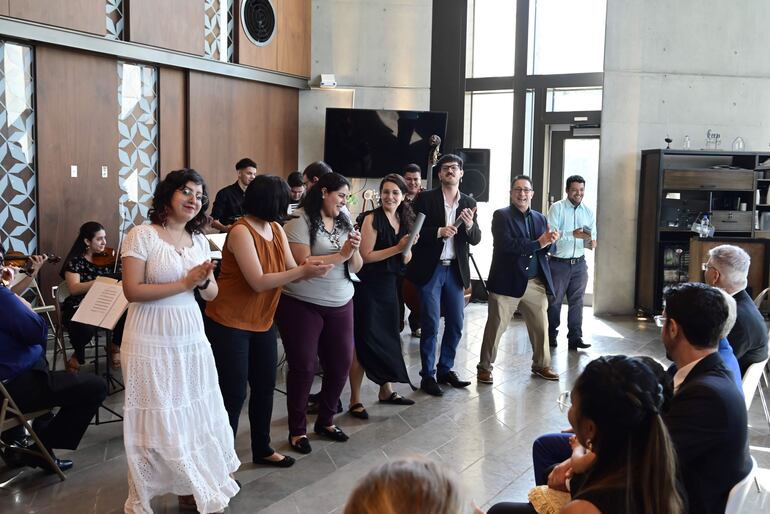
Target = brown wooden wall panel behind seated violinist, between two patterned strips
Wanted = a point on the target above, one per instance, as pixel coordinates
(77, 124)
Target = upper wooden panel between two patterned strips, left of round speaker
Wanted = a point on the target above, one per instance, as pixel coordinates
(172, 24)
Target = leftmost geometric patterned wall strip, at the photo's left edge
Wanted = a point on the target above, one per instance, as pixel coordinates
(18, 179)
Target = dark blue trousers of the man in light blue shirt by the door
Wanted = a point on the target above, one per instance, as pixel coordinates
(569, 279)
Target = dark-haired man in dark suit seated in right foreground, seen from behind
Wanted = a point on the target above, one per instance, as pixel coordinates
(707, 415)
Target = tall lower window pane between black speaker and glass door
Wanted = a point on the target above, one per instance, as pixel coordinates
(491, 125)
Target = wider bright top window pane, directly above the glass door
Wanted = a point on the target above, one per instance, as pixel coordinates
(566, 36)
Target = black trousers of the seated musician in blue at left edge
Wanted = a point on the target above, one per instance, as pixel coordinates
(78, 397)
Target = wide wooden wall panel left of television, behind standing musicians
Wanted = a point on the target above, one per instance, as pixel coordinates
(230, 119)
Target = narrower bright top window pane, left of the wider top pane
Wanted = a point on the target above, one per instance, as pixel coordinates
(491, 38)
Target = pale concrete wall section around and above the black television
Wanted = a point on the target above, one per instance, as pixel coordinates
(379, 52)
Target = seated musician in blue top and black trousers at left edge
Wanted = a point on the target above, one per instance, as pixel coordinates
(24, 373)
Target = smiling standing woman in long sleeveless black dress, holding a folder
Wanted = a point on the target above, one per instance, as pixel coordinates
(384, 234)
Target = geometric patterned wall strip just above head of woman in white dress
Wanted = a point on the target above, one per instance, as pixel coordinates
(138, 147)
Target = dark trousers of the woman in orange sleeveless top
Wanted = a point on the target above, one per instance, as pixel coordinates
(245, 357)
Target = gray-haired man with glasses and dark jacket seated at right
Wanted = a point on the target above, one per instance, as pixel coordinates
(728, 269)
